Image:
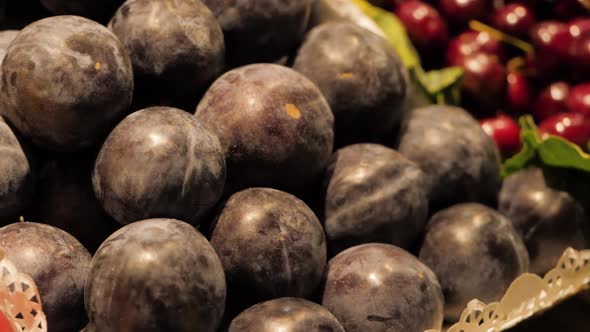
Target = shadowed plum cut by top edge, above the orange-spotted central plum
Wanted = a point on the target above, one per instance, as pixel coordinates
(258, 31)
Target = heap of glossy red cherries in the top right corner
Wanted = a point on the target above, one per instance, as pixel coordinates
(528, 56)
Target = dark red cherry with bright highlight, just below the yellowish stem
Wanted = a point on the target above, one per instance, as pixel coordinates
(484, 82)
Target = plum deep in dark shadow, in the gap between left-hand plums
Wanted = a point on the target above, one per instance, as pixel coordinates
(65, 199)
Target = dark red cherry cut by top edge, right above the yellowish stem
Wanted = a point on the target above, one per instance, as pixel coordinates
(461, 11)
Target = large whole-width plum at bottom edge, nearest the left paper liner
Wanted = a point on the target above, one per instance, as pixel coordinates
(155, 275)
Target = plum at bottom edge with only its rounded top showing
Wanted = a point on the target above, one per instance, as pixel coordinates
(286, 314)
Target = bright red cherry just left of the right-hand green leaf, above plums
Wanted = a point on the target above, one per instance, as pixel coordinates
(505, 132)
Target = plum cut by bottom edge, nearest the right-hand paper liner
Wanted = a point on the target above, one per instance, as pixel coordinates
(380, 287)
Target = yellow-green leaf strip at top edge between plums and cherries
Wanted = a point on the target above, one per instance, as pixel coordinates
(394, 30)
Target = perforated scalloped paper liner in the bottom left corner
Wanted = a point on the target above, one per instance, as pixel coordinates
(19, 299)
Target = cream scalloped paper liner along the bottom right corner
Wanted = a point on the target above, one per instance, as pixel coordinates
(528, 295)
